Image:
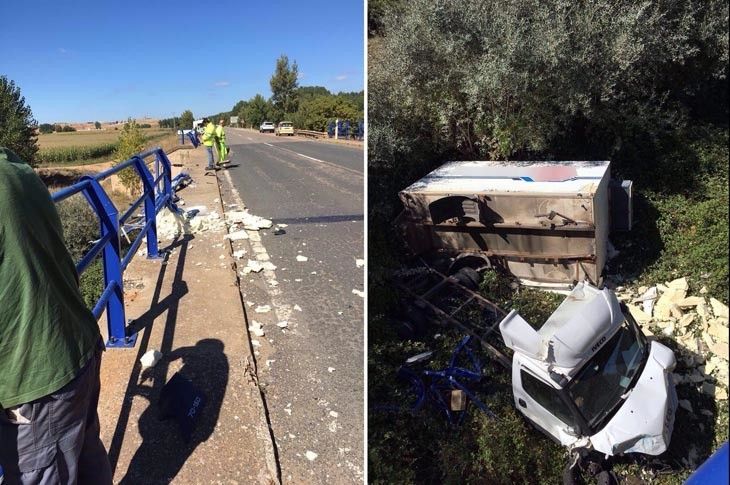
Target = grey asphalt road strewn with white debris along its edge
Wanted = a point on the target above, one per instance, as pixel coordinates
(312, 370)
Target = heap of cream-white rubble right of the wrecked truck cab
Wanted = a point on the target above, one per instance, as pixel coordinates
(699, 327)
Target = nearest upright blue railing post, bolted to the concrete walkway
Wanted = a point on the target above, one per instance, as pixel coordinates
(111, 261)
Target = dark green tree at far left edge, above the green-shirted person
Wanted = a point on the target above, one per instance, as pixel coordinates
(17, 126)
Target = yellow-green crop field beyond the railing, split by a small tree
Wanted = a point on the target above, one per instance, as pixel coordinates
(88, 147)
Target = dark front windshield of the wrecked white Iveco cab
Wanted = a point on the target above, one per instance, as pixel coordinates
(601, 385)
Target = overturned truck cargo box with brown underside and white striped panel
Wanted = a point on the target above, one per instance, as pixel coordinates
(545, 222)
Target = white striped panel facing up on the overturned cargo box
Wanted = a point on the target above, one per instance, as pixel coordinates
(509, 176)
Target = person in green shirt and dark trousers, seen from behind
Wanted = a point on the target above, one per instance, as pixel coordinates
(50, 345)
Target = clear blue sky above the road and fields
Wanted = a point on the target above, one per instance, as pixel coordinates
(108, 60)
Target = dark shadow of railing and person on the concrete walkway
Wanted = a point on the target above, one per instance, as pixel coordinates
(163, 450)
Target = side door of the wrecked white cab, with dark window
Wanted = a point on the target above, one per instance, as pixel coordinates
(541, 403)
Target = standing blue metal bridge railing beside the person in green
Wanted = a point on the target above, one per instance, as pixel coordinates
(157, 193)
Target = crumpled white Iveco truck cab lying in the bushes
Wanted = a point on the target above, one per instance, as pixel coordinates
(589, 378)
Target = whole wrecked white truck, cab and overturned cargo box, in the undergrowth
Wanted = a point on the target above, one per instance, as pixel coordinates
(587, 377)
